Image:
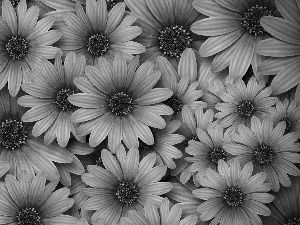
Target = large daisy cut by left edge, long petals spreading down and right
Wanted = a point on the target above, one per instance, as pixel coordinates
(20, 148)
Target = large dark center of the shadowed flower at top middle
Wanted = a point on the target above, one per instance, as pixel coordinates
(174, 40)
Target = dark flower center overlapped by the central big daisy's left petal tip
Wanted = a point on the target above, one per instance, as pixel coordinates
(61, 100)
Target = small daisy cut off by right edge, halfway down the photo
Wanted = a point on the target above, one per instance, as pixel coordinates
(288, 112)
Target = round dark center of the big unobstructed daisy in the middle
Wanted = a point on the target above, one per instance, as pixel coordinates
(120, 104)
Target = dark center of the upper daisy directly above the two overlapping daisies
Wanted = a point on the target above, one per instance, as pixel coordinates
(98, 44)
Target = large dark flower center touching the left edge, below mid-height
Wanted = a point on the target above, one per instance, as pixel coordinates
(13, 134)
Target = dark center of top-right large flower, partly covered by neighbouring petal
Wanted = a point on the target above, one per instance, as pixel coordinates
(251, 19)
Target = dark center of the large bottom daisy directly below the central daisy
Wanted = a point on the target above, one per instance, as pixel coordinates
(127, 192)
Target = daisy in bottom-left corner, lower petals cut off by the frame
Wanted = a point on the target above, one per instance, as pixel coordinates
(32, 201)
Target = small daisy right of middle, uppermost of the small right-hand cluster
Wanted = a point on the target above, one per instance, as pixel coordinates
(241, 102)
